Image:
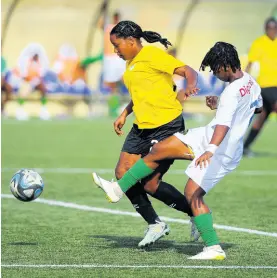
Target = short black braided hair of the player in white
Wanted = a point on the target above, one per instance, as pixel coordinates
(222, 54)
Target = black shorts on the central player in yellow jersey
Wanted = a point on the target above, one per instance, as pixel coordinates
(139, 141)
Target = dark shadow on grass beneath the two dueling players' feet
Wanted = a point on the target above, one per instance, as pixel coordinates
(115, 242)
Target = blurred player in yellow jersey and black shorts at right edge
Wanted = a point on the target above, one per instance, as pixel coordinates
(264, 51)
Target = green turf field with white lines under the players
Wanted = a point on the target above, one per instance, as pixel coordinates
(76, 241)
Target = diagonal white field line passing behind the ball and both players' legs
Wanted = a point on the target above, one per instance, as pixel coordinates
(134, 214)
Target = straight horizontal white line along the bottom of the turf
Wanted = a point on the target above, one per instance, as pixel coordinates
(137, 266)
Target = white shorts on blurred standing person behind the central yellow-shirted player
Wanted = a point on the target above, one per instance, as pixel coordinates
(113, 68)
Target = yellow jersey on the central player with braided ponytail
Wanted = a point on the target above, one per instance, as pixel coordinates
(148, 78)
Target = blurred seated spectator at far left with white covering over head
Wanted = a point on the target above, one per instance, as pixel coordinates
(31, 67)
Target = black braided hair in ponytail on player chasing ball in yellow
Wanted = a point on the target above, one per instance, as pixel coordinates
(126, 28)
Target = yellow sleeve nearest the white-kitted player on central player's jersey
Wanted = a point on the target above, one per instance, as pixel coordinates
(164, 62)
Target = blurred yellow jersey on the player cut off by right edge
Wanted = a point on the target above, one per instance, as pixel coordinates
(264, 51)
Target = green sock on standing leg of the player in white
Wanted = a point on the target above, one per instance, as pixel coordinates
(204, 224)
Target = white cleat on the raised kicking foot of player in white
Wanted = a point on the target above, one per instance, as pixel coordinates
(112, 189)
